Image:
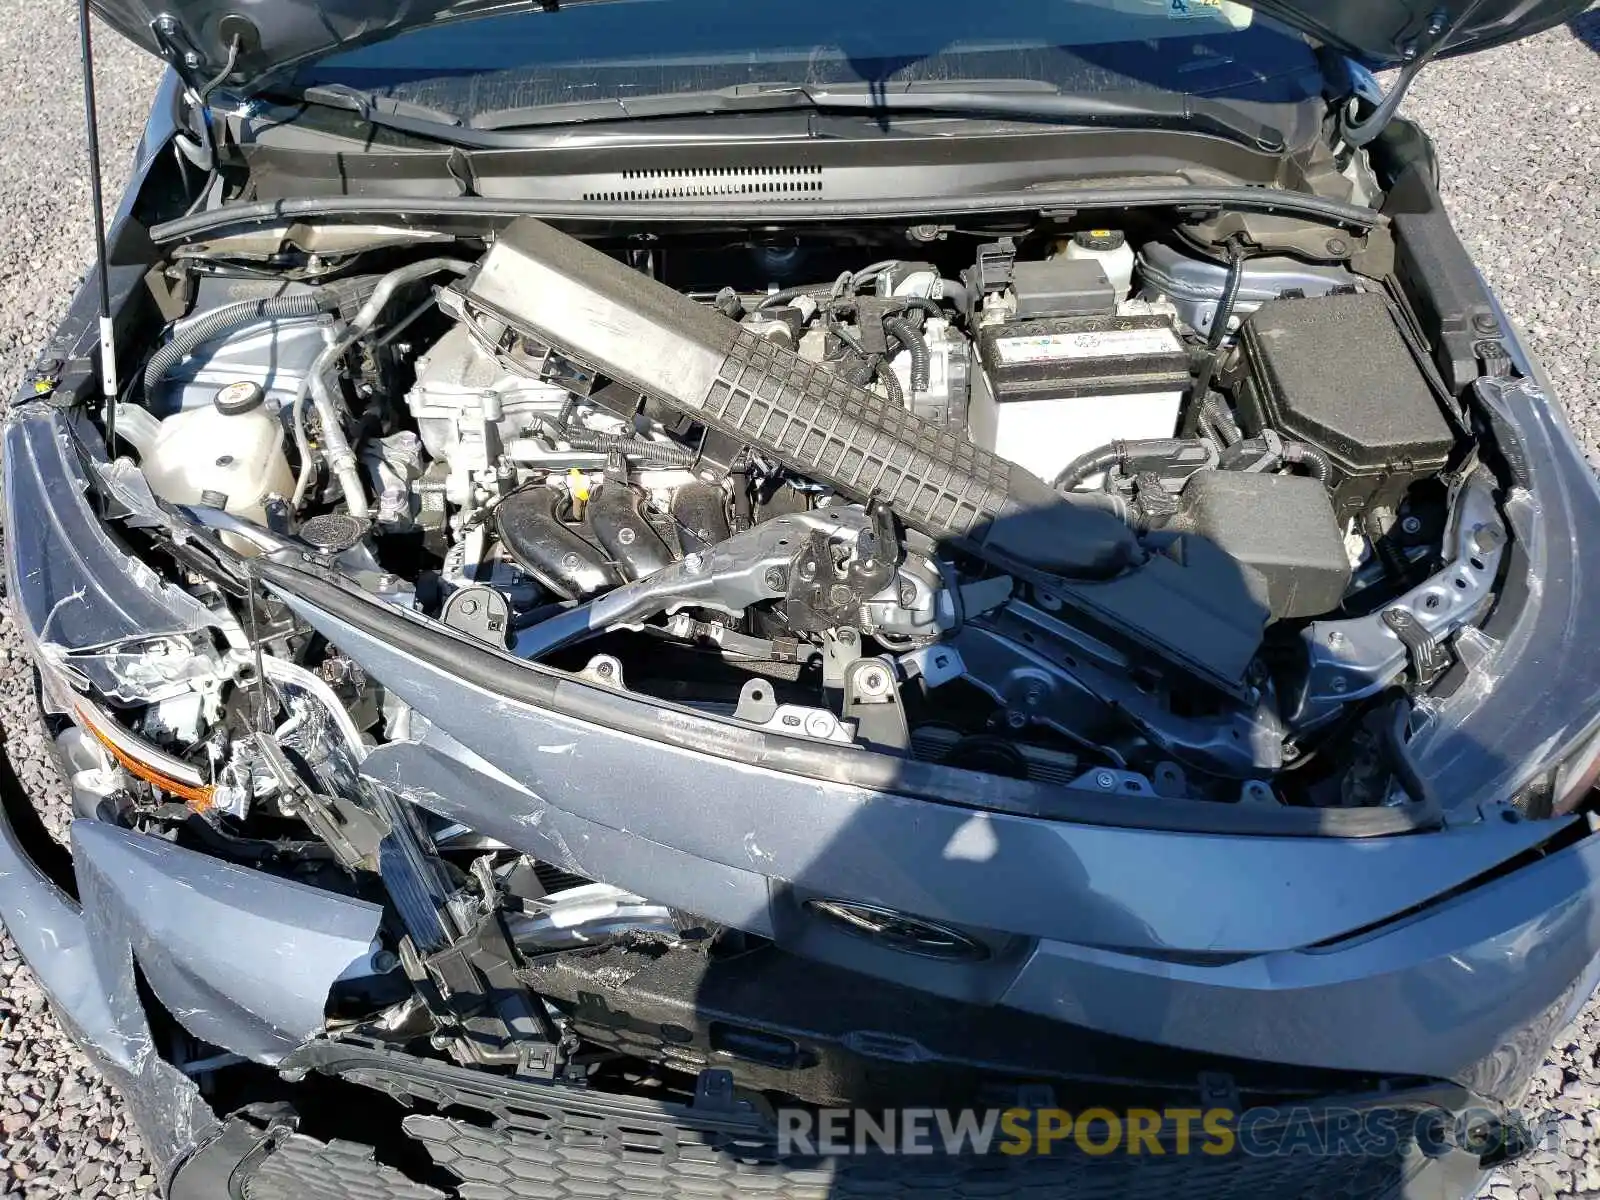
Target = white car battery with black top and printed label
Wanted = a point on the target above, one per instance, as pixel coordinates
(1052, 390)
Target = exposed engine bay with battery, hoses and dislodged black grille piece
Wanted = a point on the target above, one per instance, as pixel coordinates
(1132, 506)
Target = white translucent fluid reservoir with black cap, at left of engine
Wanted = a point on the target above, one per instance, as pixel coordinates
(228, 455)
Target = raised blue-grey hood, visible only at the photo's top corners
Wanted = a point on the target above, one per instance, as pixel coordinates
(194, 34)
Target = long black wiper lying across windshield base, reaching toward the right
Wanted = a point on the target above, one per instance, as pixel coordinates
(1015, 100)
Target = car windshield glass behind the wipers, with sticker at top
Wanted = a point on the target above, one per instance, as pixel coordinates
(601, 50)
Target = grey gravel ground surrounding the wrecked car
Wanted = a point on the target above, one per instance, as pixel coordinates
(1526, 204)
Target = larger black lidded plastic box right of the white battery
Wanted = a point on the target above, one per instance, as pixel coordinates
(1335, 372)
